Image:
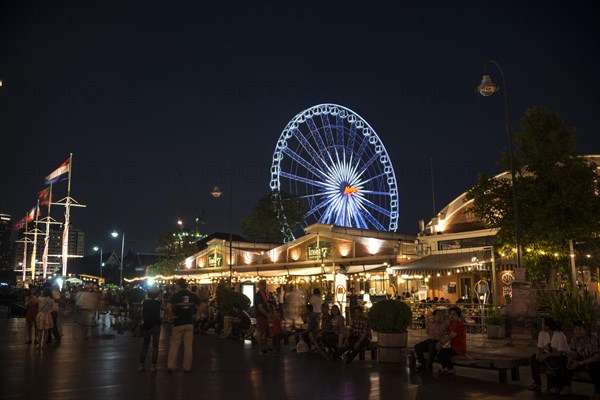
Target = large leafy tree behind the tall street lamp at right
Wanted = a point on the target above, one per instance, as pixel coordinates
(557, 194)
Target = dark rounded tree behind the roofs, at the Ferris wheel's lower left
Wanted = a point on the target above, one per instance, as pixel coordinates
(262, 223)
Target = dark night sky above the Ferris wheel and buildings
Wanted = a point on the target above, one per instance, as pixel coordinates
(141, 90)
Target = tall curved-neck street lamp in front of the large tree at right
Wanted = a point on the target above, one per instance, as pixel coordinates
(488, 88)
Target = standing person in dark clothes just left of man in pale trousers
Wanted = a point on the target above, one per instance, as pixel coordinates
(151, 307)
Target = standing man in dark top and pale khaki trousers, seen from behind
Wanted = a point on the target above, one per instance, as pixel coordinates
(182, 309)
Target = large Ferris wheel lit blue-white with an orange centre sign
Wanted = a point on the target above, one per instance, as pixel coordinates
(331, 159)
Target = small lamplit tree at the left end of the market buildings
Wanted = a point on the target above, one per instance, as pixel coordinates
(174, 247)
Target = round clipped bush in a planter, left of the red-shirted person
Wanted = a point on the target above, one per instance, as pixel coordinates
(390, 319)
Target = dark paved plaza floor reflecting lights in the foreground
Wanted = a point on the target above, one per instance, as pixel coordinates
(104, 367)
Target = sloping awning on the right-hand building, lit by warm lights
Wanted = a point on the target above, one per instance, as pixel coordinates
(455, 262)
